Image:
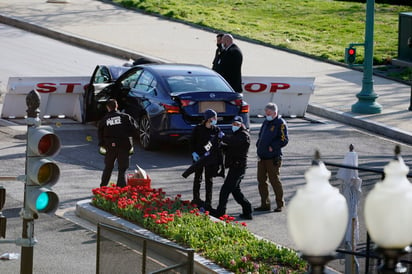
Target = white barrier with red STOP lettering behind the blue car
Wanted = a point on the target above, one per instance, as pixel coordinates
(63, 96)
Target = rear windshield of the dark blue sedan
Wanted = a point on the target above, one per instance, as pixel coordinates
(196, 83)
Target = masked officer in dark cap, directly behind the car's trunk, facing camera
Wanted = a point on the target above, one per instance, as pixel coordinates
(205, 143)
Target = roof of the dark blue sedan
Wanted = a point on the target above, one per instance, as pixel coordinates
(178, 69)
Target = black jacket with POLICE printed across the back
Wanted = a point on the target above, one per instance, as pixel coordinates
(116, 127)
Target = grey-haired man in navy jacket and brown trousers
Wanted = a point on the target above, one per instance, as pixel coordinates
(273, 136)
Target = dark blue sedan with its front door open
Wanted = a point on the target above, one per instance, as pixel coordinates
(168, 100)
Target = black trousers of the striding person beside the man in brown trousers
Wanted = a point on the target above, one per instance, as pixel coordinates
(232, 186)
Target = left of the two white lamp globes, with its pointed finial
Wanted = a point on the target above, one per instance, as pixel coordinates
(317, 217)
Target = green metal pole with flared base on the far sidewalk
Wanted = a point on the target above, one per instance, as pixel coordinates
(366, 97)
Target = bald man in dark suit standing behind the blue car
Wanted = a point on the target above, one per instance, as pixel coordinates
(230, 63)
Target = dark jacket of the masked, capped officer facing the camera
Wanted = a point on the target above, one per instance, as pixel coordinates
(206, 140)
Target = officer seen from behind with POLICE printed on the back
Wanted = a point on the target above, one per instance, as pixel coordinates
(115, 133)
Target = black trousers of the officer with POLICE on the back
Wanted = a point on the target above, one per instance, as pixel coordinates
(120, 153)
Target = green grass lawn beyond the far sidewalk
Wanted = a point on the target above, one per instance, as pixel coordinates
(319, 28)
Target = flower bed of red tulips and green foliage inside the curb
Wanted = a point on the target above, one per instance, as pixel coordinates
(226, 242)
